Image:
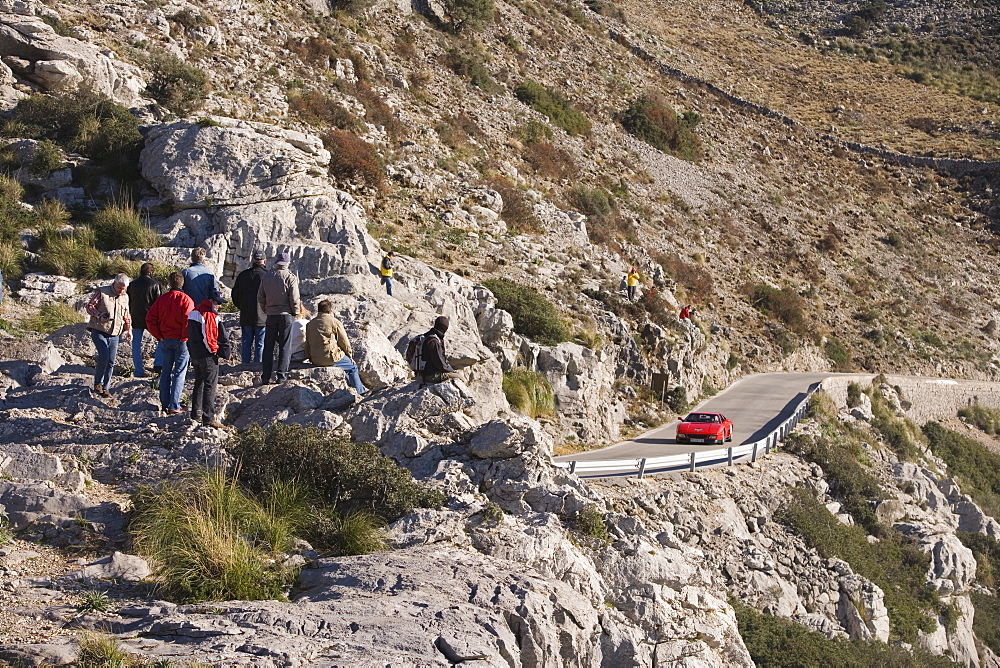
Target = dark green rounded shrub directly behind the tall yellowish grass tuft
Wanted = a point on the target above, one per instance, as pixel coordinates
(343, 474)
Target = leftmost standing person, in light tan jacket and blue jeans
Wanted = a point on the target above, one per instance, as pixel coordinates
(109, 322)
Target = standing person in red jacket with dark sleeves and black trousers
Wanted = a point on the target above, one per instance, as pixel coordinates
(207, 344)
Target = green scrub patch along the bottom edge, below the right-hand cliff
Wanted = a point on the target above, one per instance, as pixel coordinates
(774, 641)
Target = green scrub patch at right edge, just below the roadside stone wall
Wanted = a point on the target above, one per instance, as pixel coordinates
(976, 467)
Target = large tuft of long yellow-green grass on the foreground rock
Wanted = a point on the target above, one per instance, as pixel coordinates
(207, 539)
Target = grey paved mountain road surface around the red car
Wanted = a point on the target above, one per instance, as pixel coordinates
(755, 404)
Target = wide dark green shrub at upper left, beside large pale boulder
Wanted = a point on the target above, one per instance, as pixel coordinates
(82, 122)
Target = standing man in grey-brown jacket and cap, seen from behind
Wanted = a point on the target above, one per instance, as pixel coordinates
(279, 297)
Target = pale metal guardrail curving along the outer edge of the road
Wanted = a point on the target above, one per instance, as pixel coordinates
(691, 461)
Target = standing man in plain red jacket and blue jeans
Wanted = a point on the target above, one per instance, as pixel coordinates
(167, 322)
